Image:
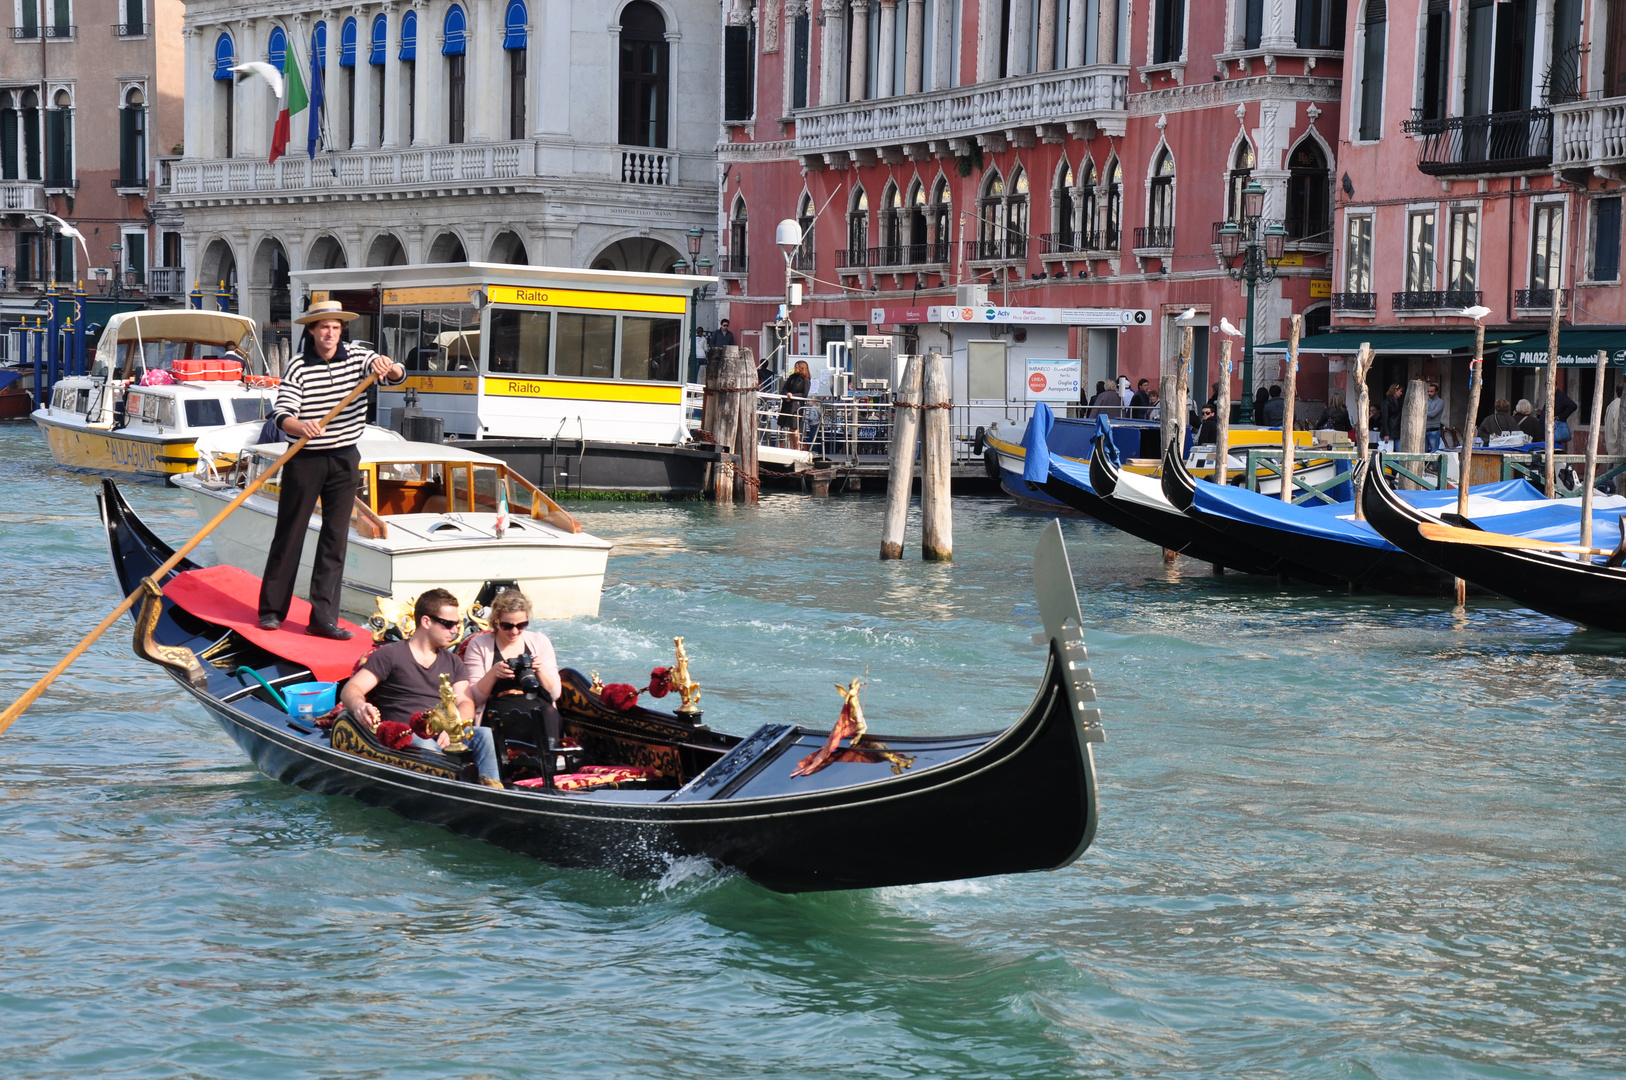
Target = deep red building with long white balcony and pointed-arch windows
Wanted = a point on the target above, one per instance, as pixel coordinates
(1063, 154)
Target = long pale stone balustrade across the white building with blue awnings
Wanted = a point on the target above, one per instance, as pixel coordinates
(415, 173)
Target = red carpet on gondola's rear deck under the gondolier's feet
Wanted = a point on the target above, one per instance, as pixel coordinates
(230, 598)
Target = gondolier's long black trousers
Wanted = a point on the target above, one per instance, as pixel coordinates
(334, 477)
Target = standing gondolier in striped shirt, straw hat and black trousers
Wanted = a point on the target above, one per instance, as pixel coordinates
(328, 468)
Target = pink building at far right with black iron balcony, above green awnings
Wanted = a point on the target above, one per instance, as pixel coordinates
(1482, 157)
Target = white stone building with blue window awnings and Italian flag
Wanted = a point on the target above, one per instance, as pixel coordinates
(508, 131)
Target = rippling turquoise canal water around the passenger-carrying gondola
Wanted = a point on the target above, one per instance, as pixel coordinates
(1339, 838)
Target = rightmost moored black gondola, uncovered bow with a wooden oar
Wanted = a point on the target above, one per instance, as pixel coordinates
(1583, 593)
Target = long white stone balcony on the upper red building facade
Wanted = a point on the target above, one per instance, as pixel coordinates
(949, 123)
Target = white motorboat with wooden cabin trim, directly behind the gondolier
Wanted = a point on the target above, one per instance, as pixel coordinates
(427, 516)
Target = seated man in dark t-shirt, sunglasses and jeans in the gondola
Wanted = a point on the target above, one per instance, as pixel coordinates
(404, 677)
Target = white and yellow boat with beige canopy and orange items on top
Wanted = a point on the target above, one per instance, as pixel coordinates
(160, 380)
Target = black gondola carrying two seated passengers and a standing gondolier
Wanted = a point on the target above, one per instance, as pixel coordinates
(963, 806)
